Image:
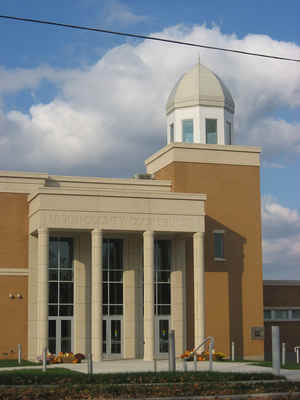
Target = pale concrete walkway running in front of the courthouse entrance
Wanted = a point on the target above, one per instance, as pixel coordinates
(162, 365)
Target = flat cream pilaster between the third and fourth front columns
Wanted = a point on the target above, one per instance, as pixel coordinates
(178, 317)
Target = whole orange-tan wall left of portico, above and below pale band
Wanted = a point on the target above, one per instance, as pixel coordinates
(13, 254)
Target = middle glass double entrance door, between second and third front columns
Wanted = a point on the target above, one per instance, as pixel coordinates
(112, 337)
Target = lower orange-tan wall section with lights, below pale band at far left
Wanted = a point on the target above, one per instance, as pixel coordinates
(13, 316)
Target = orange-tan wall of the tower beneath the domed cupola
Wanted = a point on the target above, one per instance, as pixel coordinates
(234, 301)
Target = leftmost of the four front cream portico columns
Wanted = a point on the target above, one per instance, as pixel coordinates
(42, 290)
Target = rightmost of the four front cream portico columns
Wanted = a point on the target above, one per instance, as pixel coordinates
(199, 288)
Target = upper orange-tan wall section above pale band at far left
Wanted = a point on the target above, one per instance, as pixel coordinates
(13, 230)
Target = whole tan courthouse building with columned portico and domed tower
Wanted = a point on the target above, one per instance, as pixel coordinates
(111, 265)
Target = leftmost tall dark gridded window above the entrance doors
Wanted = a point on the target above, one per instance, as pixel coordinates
(61, 285)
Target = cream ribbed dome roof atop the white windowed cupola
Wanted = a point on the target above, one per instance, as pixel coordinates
(200, 87)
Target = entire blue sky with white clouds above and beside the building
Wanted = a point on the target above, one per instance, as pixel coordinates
(74, 102)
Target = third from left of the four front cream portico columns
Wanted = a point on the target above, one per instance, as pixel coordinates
(148, 295)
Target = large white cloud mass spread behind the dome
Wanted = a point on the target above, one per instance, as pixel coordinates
(114, 109)
